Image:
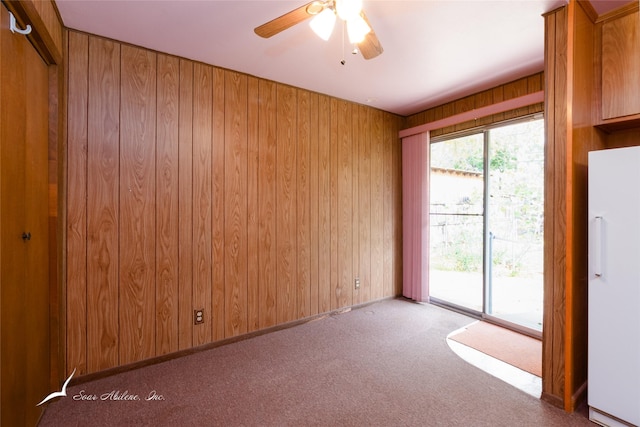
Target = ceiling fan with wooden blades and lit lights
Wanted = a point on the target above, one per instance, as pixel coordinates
(324, 14)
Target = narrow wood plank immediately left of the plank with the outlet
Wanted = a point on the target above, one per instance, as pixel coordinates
(185, 206)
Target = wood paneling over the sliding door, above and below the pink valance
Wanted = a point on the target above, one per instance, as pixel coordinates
(514, 89)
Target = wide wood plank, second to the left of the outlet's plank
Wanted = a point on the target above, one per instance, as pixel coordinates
(167, 214)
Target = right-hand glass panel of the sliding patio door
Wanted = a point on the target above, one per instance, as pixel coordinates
(515, 185)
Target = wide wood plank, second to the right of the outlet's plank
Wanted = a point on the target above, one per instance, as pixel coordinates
(235, 203)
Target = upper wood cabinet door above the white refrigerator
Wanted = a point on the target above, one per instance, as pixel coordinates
(621, 66)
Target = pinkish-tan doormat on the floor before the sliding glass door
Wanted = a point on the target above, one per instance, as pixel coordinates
(511, 347)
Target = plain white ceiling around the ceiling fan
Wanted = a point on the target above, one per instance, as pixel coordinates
(434, 50)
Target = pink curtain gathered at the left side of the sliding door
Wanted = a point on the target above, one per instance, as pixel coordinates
(415, 217)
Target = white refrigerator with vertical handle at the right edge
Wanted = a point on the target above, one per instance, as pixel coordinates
(613, 392)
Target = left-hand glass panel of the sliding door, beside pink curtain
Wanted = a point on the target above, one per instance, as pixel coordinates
(457, 223)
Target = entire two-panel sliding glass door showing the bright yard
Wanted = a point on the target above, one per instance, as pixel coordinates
(486, 223)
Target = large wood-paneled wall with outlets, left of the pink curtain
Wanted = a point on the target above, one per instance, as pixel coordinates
(194, 187)
